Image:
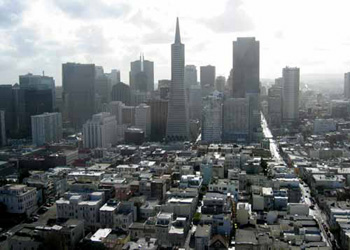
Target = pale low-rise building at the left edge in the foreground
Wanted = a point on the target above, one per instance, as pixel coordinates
(18, 199)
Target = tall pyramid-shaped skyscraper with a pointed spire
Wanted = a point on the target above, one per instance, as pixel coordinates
(178, 126)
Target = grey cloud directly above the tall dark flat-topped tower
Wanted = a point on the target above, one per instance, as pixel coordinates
(233, 19)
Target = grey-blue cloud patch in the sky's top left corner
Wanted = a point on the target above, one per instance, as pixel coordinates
(10, 12)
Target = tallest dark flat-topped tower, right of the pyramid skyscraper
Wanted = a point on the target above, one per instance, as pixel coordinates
(246, 79)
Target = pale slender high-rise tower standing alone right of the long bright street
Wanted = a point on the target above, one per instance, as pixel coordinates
(290, 90)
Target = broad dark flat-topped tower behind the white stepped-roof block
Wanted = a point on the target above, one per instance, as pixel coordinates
(78, 81)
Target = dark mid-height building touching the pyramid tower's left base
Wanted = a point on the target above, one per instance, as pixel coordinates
(159, 117)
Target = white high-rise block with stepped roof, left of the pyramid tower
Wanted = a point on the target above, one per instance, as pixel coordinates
(100, 131)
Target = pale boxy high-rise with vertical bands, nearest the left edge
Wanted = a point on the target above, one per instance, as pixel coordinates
(46, 128)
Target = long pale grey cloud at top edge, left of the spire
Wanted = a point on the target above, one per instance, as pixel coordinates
(91, 9)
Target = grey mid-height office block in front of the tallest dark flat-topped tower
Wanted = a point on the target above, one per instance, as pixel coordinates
(236, 120)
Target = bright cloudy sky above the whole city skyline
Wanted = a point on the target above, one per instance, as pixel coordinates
(40, 35)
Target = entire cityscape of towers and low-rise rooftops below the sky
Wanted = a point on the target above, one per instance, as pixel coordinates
(214, 164)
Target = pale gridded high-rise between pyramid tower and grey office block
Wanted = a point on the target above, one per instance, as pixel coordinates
(212, 119)
